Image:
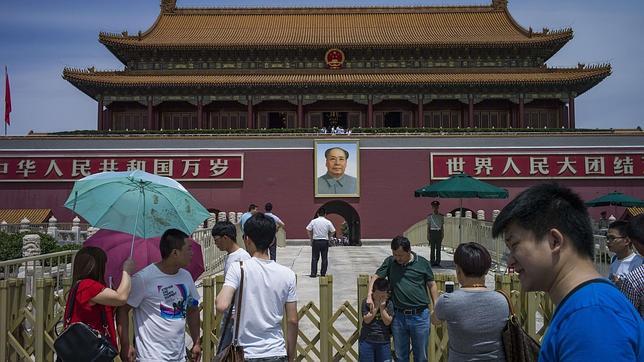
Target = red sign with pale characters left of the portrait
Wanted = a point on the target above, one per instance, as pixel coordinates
(59, 166)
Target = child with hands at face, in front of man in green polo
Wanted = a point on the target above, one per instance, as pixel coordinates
(374, 345)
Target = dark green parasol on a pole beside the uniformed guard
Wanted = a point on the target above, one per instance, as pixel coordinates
(462, 186)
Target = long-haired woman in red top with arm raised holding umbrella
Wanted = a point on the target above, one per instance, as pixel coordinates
(91, 303)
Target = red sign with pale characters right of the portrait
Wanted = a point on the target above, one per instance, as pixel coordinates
(546, 165)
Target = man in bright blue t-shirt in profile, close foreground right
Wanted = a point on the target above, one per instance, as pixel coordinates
(548, 232)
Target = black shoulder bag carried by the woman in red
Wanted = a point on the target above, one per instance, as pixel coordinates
(79, 342)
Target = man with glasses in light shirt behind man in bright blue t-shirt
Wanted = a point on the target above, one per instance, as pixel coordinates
(625, 259)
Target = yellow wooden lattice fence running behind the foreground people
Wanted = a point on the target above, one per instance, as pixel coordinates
(27, 322)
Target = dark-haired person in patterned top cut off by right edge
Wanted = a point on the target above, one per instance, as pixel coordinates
(632, 285)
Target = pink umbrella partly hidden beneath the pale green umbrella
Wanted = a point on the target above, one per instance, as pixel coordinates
(146, 251)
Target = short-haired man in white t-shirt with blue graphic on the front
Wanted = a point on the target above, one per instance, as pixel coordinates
(163, 298)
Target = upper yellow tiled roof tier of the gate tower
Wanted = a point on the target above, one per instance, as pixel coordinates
(336, 27)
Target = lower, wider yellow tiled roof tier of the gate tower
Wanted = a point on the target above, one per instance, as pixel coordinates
(337, 78)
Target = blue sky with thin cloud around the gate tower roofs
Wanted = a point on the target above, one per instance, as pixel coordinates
(38, 38)
